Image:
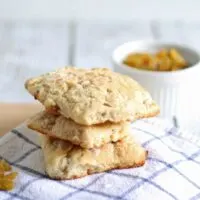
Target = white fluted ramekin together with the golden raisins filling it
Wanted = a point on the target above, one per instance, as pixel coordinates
(170, 71)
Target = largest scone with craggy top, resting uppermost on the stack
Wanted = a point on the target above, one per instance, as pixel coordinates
(92, 96)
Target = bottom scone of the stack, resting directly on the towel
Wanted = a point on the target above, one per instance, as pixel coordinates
(64, 160)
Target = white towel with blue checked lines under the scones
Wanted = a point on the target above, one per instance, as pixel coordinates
(172, 170)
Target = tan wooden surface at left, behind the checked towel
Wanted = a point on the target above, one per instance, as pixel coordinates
(14, 114)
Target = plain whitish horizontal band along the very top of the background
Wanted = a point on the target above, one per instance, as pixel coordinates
(100, 9)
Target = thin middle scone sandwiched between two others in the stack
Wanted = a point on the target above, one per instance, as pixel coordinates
(85, 136)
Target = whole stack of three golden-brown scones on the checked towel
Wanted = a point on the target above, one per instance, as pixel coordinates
(85, 127)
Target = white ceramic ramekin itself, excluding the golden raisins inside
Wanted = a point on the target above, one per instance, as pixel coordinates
(177, 92)
